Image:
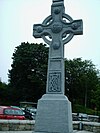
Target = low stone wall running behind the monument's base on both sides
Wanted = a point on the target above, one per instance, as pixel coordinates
(24, 125)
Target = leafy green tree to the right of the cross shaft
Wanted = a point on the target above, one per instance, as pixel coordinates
(81, 80)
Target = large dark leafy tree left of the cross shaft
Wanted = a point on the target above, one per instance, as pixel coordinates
(27, 77)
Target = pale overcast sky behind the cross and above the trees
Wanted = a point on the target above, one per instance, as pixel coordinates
(16, 26)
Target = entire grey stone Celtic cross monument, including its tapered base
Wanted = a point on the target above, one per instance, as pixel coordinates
(54, 109)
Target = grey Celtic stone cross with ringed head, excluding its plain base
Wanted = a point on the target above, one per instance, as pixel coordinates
(57, 30)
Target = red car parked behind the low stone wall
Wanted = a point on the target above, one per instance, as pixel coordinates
(7, 112)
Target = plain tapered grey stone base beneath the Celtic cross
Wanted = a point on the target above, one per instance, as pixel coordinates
(54, 114)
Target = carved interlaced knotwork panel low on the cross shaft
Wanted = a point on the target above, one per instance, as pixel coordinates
(54, 82)
